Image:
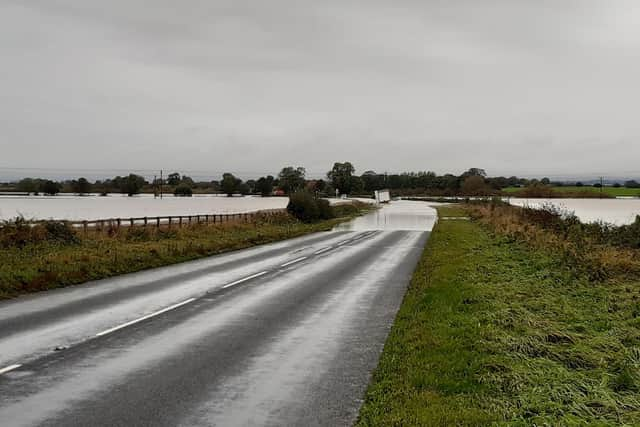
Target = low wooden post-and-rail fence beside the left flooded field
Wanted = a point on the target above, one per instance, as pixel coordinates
(172, 220)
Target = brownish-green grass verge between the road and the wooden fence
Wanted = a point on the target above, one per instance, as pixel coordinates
(59, 257)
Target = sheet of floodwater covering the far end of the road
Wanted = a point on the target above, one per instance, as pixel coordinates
(399, 215)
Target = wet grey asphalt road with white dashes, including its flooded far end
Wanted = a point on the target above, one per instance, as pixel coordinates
(282, 334)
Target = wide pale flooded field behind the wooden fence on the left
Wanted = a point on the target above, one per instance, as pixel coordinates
(76, 208)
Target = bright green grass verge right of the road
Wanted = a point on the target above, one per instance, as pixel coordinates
(494, 331)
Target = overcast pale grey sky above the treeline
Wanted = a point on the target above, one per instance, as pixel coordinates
(515, 87)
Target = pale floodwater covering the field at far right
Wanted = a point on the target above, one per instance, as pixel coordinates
(613, 211)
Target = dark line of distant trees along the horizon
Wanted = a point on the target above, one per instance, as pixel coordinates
(341, 179)
